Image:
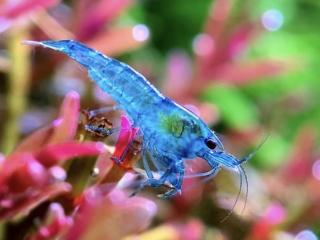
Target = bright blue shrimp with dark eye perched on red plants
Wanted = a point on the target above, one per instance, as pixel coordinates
(171, 133)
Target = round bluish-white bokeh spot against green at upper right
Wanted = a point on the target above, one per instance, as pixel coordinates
(272, 20)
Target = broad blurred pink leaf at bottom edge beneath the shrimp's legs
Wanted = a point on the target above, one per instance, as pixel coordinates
(100, 216)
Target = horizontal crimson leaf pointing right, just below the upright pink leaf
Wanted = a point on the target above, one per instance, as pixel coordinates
(53, 154)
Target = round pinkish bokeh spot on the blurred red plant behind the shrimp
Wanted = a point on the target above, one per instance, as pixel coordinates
(203, 44)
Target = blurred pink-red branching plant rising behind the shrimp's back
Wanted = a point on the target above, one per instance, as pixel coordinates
(219, 51)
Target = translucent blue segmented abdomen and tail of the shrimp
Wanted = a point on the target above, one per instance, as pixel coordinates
(126, 86)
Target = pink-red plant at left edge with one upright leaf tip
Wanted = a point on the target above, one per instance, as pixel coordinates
(32, 173)
